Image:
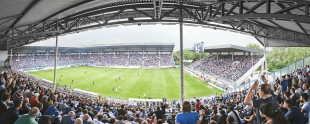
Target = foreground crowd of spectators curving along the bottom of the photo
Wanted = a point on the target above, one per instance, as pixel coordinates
(283, 101)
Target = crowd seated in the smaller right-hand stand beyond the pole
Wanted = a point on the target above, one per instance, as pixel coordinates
(225, 66)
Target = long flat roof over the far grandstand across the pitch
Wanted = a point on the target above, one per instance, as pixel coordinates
(151, 47)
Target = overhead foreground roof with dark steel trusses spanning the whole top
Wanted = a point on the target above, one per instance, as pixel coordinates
(281, 22)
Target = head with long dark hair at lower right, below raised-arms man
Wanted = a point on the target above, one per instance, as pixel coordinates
(268, 111)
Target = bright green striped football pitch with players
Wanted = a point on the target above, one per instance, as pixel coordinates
(154, 83)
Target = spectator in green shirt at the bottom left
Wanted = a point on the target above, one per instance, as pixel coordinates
(28, 118)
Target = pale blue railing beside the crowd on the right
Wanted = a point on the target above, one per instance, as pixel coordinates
(272, 76)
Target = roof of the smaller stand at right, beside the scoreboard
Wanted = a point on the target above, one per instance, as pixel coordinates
(231, 48)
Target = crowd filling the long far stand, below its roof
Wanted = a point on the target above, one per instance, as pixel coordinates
(38, 62)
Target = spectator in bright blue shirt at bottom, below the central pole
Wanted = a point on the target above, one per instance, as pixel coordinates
(187, 117)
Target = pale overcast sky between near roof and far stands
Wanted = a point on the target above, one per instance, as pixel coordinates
(150, 34)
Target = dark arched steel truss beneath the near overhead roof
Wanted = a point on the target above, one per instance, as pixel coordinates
(226, 15)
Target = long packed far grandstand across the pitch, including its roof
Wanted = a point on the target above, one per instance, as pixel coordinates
(131, 55)
